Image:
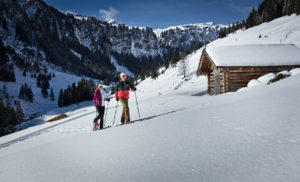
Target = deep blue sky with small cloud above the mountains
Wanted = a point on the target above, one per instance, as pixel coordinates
(160, 13)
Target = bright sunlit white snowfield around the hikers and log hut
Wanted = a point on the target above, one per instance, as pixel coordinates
(245, 136)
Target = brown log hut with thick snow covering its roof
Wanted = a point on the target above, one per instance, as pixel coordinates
(229, 68)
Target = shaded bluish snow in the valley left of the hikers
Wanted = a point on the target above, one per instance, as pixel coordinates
(43, 107)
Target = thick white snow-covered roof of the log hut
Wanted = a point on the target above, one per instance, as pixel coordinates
(254, 55)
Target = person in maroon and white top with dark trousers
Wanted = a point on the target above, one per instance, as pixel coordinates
(99, 101)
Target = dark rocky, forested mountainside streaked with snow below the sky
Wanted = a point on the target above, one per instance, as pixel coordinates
(84, 45)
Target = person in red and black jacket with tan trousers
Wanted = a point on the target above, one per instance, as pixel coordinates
(122, 94)
